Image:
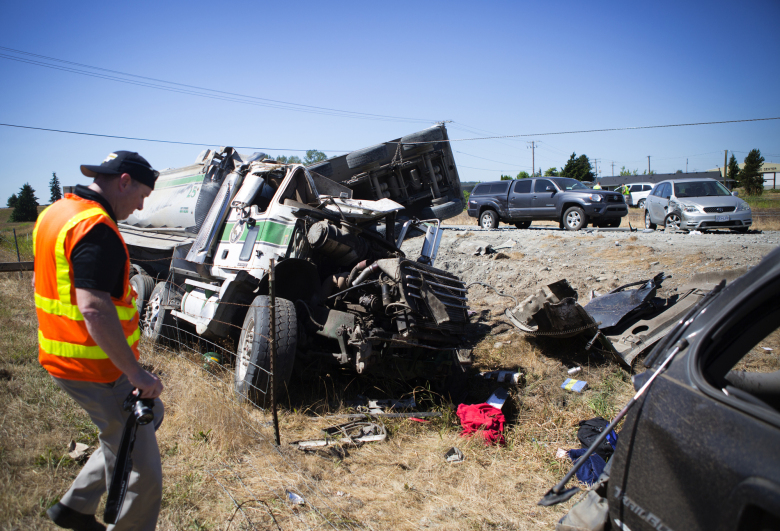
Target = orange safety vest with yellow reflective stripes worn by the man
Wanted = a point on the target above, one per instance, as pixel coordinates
(65, 348)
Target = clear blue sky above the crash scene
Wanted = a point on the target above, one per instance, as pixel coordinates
(493, 67)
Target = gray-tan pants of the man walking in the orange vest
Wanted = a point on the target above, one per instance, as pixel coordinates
(103, 403)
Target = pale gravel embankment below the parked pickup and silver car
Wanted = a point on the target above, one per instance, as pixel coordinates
(591, 260)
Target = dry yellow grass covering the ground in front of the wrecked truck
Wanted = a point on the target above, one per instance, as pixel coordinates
(212, 446)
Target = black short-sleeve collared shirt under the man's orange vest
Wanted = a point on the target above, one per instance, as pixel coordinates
(99, 258)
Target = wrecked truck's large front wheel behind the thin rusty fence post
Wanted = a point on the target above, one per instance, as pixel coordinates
(253, 358)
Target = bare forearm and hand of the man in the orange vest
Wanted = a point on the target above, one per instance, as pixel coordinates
(105, 328)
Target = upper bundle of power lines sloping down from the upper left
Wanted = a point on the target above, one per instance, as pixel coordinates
(183, 88)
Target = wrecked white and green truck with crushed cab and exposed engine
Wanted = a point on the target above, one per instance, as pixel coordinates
(202, 248)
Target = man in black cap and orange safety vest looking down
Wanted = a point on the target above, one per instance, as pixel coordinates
(88, 334)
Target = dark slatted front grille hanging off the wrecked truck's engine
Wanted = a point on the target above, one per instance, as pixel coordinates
(447, 288)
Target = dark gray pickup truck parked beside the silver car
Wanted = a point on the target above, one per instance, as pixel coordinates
(560, 199)
